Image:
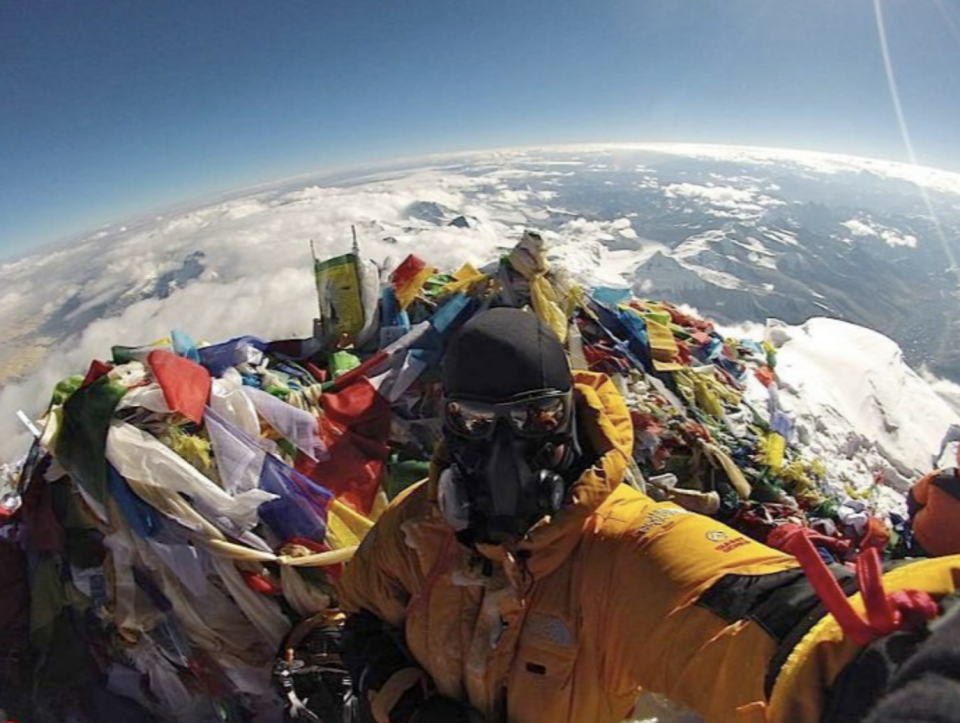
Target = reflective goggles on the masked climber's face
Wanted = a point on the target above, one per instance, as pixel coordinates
(539, 415)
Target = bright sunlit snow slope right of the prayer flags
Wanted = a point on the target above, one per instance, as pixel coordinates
(857, 404)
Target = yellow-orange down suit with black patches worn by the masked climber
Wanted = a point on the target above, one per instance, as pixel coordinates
(614, 594)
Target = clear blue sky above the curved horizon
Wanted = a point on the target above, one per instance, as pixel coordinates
(109, 108)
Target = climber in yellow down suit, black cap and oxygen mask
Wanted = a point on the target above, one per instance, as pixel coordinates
(525, 581)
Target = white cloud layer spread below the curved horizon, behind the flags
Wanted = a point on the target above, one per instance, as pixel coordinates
(242, 265)
